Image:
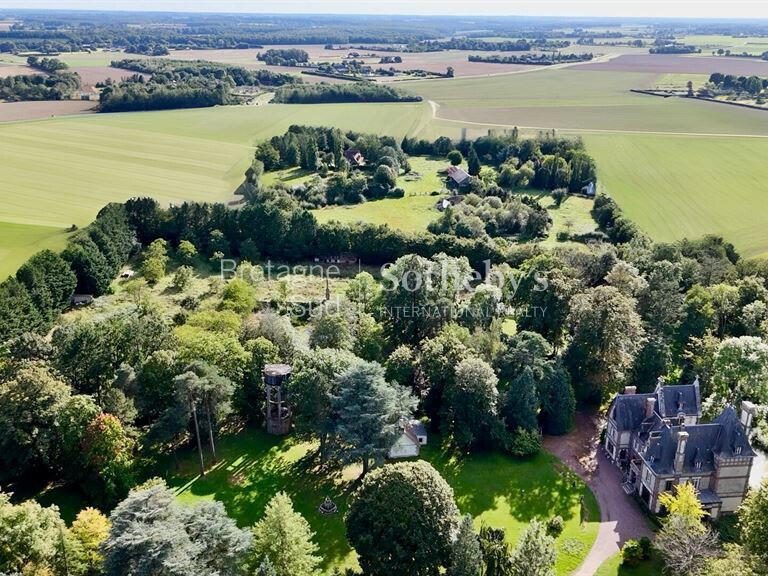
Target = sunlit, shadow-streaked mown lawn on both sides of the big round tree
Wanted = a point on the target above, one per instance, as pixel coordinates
(495, 489)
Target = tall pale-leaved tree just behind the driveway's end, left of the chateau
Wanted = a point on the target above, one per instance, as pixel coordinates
(606, 335)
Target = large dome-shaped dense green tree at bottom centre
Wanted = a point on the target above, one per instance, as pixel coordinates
(401, 520)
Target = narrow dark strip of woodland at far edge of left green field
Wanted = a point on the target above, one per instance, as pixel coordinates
(330, 93)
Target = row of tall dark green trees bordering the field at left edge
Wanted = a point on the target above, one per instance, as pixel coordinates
(31, 300)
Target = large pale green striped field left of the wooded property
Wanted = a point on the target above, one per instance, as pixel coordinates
(61, 171)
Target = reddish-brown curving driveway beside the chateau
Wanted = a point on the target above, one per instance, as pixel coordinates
(621, 519)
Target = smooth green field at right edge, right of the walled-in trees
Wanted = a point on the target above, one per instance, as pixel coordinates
(676, 186)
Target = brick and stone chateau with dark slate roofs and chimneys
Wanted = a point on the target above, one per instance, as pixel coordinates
(657, 441)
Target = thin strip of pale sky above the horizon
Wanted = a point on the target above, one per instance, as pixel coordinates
(609, 8)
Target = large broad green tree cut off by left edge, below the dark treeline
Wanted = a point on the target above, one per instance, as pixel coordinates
(30, 404)
